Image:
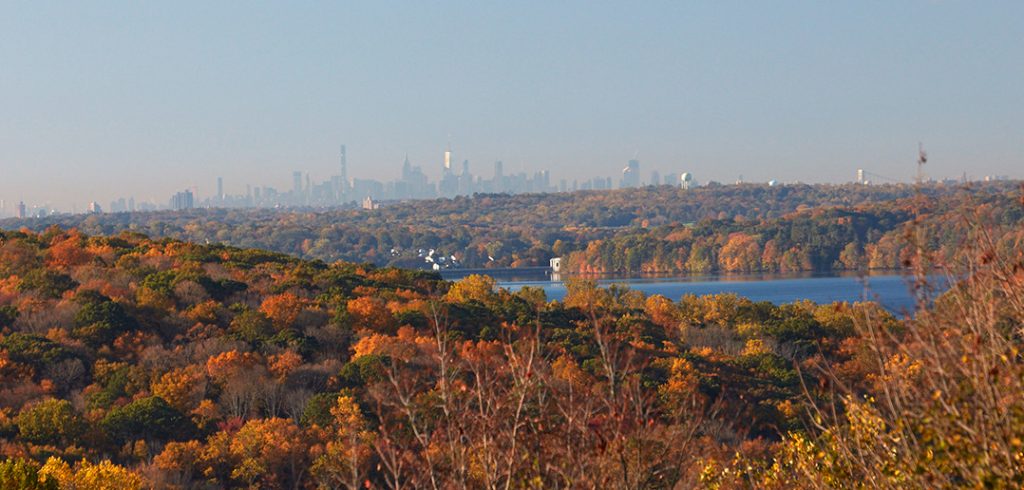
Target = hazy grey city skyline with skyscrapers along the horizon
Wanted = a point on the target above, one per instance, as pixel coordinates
(414, 184)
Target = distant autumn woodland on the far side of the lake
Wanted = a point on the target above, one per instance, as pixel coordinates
(737, 229)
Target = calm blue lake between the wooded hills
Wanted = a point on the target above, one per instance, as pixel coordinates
(891, 291)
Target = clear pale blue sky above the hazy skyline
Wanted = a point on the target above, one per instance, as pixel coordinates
(107, 100)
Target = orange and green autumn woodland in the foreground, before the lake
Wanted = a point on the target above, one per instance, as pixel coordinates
(152, 363)
